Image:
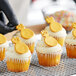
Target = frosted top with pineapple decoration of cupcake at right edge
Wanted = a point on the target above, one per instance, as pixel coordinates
(71, 37)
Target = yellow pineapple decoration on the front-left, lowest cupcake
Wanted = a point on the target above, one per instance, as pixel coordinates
(20, 47)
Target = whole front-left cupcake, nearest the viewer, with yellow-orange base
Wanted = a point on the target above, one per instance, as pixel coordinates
(18, 56)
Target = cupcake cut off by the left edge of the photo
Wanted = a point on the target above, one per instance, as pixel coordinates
(3, 46)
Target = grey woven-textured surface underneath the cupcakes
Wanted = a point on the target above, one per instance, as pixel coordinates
(67, 67)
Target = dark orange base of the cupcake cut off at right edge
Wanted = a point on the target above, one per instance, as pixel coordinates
(71, 50)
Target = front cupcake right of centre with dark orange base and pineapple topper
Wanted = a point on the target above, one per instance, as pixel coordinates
(48, 50)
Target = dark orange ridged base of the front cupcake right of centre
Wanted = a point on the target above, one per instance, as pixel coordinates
(48, 59)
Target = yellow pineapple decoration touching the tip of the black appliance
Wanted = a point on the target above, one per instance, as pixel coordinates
(25, 32)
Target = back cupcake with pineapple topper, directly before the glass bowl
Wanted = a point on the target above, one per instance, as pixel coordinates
(56, 30)
